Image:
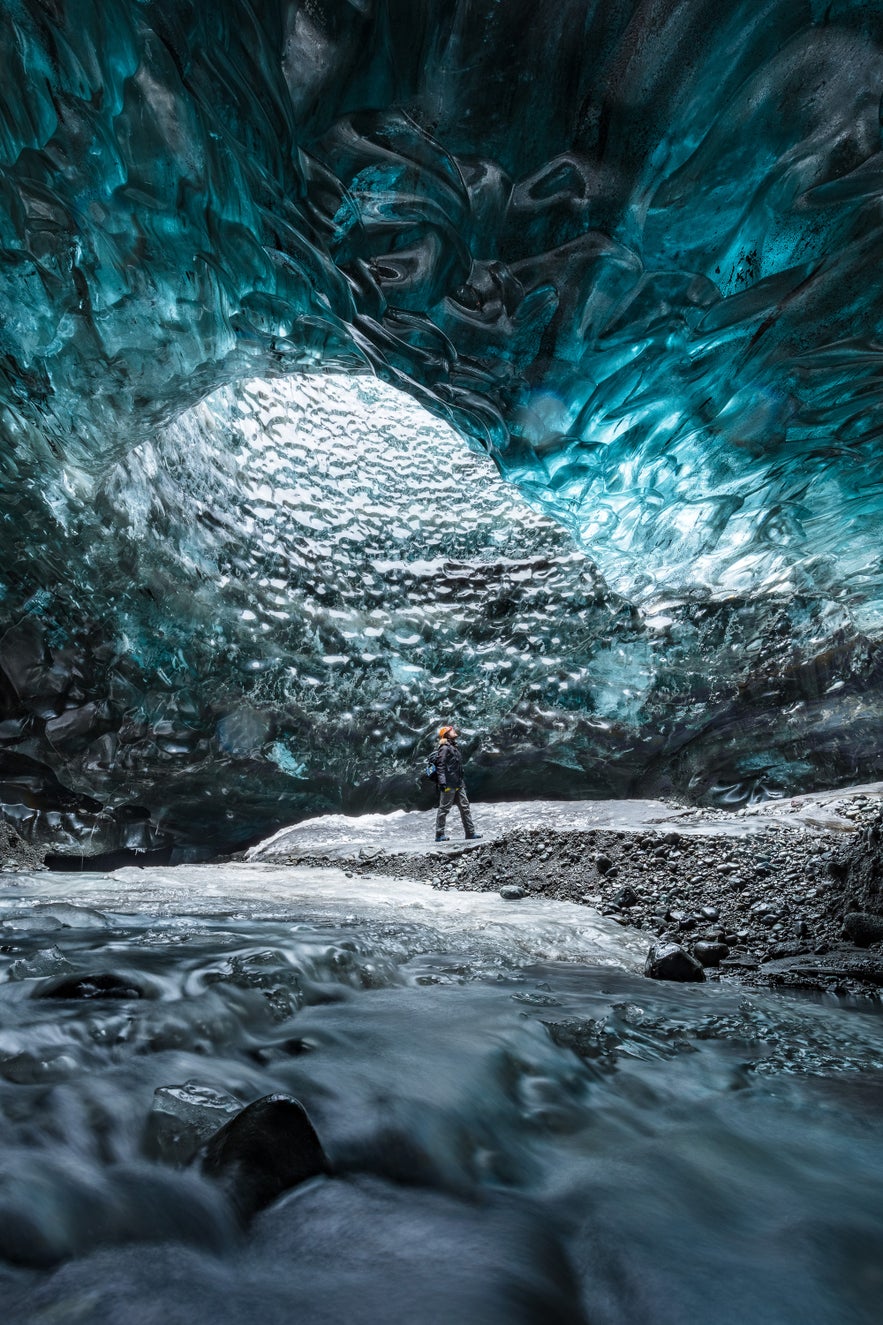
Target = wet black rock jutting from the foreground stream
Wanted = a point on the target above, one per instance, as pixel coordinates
(263, 1152)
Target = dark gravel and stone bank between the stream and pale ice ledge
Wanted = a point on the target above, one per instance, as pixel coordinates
(782, 908)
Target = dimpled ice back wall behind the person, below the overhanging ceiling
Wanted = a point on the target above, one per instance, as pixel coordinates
(266, 610)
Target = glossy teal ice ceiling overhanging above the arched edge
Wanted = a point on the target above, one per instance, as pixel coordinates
(628, 248)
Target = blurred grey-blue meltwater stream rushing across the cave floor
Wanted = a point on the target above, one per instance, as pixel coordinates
(522, 1128)
